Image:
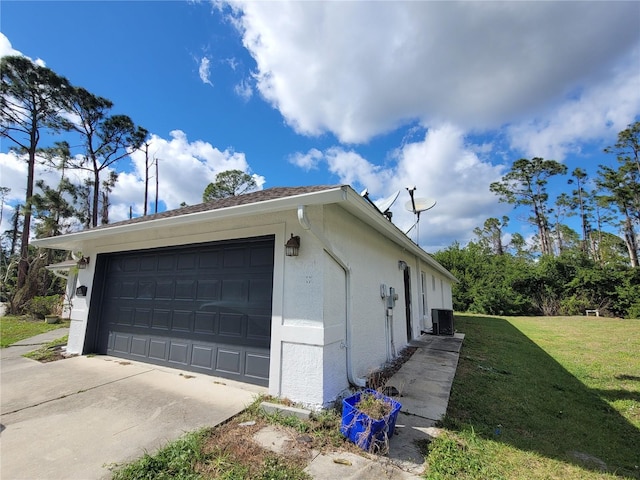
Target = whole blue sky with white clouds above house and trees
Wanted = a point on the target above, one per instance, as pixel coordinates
(379, 95)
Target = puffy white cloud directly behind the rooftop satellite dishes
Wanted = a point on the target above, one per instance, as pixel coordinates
(441, 167)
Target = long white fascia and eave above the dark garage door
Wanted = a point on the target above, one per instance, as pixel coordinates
(74, 241)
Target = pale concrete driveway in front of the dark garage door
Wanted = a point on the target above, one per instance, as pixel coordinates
(77, 417)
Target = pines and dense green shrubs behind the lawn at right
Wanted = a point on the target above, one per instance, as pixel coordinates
(559, 271)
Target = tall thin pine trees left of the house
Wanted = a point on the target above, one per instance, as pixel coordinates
(35, 104)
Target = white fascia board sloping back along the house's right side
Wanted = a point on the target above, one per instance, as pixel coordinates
(361, 208)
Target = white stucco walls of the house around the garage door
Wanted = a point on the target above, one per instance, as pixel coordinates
(327, 303)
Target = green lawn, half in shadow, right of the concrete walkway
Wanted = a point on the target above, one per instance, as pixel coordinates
(544, 397)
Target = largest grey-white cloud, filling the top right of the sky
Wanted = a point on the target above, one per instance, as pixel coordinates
(359, 69)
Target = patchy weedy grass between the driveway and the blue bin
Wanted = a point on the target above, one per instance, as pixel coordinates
(227, 452)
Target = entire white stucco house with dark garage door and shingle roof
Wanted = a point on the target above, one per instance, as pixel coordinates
(210, 288)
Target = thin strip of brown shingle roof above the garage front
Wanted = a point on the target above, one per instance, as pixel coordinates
(245, 199)
